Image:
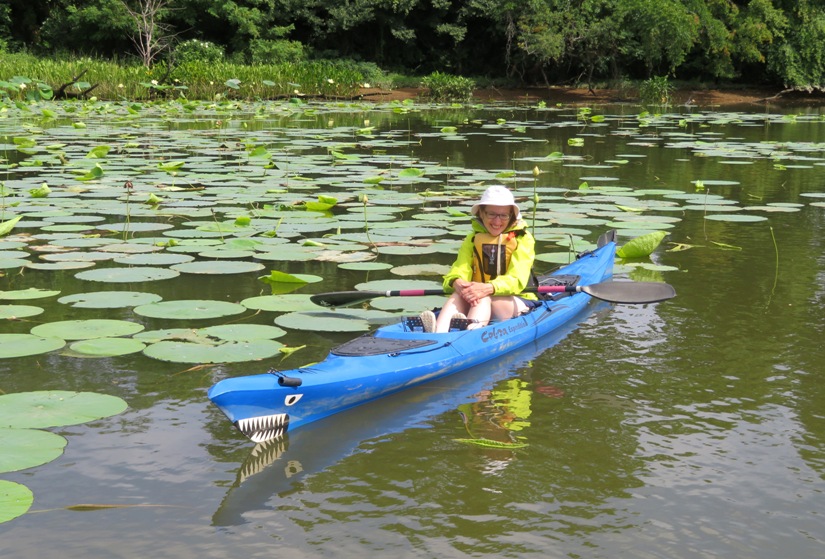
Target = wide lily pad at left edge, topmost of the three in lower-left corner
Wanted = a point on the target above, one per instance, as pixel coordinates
(56, 408)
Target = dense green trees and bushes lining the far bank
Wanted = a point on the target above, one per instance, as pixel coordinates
(548, 41)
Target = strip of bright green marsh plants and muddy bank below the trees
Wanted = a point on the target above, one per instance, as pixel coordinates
(24, 77)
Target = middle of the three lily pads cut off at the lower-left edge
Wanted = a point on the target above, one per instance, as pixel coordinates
(27, 448)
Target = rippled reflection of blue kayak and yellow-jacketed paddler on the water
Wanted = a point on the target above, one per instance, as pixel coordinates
(278, 467)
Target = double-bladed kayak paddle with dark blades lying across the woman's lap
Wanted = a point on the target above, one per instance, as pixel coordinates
(626, 292)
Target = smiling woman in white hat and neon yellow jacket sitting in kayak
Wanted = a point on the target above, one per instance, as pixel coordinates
(493, 266)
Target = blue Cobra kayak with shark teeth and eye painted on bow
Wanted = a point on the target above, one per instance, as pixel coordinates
(397, 356)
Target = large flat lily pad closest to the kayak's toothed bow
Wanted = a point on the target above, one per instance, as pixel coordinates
(229, 352)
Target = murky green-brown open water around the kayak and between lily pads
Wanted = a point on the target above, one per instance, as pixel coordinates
(692, 428)
